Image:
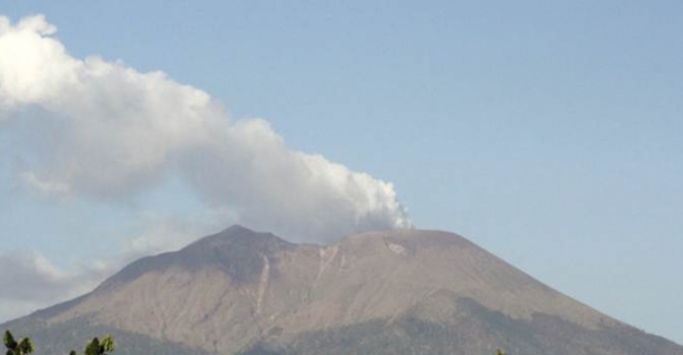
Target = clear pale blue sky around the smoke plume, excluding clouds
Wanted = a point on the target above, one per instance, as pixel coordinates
(548, 133)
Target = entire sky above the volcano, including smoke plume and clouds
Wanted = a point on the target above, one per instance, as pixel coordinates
(547, 132)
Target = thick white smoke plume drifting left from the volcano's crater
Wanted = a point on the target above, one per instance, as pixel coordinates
(100, 129)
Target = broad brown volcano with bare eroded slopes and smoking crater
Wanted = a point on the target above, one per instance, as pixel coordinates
(393, 292)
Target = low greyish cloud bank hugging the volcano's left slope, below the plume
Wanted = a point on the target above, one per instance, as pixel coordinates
(32, 282)
